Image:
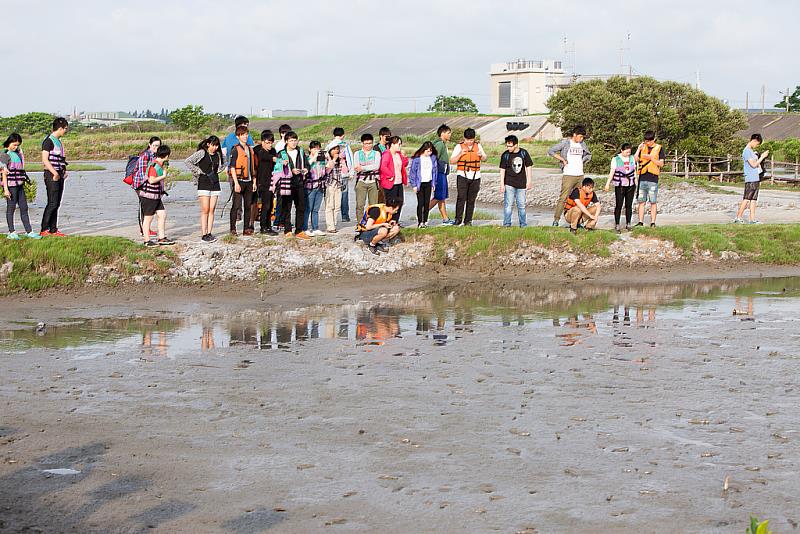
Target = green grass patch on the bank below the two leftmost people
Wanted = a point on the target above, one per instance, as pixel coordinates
(66, 262)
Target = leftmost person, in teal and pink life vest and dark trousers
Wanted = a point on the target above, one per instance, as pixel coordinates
(12, 169)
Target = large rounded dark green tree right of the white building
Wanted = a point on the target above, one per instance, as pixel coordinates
(619, 111)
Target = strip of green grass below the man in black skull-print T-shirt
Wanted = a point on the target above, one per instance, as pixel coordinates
(491, 241)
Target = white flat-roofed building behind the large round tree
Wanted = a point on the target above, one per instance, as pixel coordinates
(522, 87)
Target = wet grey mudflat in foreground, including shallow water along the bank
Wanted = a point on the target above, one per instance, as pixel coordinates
(467, 408)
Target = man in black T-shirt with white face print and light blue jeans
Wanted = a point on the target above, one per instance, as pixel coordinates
(516, 172)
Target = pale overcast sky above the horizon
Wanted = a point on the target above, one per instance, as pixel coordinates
(101, 55)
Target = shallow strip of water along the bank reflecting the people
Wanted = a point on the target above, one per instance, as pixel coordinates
(438, 317)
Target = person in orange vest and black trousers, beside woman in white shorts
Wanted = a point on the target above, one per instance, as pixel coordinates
(242, 167)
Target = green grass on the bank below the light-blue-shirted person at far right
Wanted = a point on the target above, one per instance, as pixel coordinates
(777, 244)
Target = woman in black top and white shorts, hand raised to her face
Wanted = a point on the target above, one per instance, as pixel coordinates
(205, 165)
